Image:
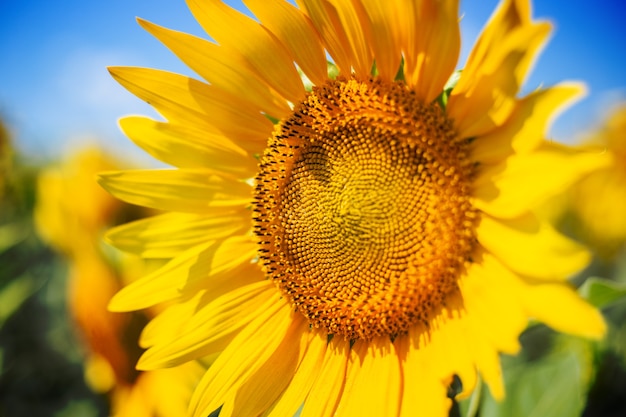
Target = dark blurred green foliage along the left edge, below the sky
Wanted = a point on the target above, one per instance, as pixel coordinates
(40, 360)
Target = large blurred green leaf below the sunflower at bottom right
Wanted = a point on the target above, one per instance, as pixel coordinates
(552, 386)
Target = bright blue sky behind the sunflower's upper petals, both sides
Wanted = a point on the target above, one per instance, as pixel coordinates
(55, 91)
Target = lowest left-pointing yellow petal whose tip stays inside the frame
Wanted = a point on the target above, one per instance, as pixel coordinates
(211, 327)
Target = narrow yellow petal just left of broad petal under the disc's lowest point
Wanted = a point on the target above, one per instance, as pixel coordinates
(327, 388)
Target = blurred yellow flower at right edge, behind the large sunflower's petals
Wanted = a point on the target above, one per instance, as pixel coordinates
(599, 199)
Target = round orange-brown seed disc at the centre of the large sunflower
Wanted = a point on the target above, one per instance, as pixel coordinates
(362, 210)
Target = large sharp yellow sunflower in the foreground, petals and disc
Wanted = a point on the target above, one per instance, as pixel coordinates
(348, 237)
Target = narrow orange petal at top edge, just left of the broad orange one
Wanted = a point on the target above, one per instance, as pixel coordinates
(384, 19)
